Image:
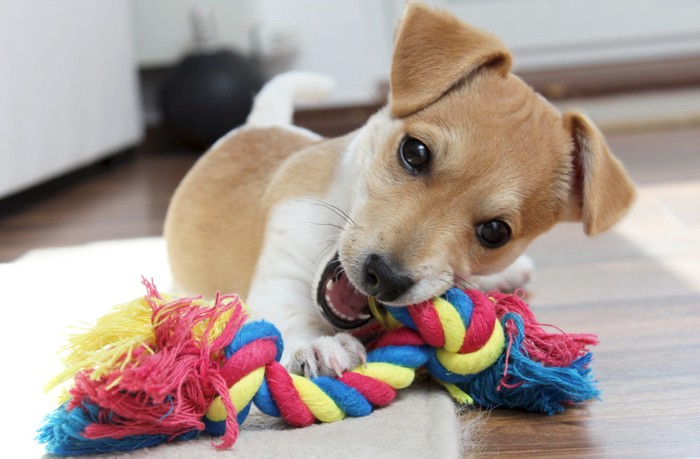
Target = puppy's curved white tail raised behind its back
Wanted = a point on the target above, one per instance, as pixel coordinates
(274, 104)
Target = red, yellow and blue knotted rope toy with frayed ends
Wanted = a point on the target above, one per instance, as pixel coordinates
(160, 369)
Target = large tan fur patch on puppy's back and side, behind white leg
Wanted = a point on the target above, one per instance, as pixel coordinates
(216, 222)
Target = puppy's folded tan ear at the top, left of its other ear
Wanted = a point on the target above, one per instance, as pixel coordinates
(433, 51)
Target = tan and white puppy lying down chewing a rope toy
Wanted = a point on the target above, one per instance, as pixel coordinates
(460, 171)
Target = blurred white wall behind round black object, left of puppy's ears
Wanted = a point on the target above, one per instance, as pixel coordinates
(348, 39)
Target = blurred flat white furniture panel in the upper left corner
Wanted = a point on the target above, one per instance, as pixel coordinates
(68, 88)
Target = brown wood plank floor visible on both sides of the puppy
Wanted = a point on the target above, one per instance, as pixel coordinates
(637, 287)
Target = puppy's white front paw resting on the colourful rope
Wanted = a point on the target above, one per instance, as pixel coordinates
(327, 356)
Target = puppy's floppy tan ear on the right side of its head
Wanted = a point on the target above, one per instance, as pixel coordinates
(602, 192)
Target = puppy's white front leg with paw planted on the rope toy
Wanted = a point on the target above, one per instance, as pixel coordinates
(282, 293)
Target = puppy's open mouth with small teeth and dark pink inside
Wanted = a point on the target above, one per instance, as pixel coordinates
(339, 301)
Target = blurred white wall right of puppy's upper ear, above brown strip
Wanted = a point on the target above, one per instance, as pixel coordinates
(565, 33)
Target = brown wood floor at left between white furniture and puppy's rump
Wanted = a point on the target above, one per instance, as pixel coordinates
(117, 200)
